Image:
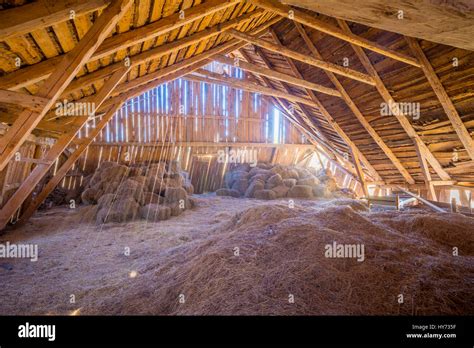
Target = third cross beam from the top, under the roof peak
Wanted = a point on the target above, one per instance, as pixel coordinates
(276, 75)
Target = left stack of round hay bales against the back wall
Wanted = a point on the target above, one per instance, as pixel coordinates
(153, 192)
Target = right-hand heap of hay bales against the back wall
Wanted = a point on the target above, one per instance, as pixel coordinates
(267, 181)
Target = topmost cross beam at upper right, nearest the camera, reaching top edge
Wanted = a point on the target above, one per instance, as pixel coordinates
(312, 22)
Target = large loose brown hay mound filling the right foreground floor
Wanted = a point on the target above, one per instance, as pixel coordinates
(282, 253)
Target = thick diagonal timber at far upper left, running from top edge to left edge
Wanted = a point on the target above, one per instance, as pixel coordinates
(57, 82)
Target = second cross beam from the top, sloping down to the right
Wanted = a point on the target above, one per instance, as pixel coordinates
(280, 49)
